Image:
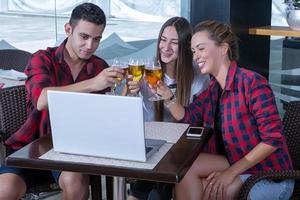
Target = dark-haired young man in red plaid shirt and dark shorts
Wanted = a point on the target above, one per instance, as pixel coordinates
(69, 67)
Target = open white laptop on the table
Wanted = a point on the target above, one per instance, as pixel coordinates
(99, 125)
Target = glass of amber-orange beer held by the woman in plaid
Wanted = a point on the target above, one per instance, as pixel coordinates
(153, 74)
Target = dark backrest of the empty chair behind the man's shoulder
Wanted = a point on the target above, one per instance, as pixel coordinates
(14, 59)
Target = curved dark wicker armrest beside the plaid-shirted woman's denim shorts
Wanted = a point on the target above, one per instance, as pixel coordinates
(274, 175)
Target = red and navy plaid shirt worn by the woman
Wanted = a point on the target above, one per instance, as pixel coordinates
(249, 116)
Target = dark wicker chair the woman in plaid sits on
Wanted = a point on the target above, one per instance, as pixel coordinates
(291, 122)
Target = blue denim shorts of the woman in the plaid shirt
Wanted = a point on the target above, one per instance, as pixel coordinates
(268, 189)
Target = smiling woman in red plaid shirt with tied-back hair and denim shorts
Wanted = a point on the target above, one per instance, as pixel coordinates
(240, 106)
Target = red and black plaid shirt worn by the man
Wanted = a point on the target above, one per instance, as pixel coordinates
(47, 68)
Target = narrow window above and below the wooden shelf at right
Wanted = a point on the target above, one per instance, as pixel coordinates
(284, 75)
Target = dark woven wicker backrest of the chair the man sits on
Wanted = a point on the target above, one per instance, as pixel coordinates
(13, 111)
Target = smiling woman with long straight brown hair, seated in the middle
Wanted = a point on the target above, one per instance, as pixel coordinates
(182, 77)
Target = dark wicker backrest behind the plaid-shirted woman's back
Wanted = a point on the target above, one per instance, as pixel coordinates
(291, 122)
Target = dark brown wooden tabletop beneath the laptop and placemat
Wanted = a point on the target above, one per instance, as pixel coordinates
(171, 168)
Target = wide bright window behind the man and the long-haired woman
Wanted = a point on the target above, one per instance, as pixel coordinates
(31, 25)
